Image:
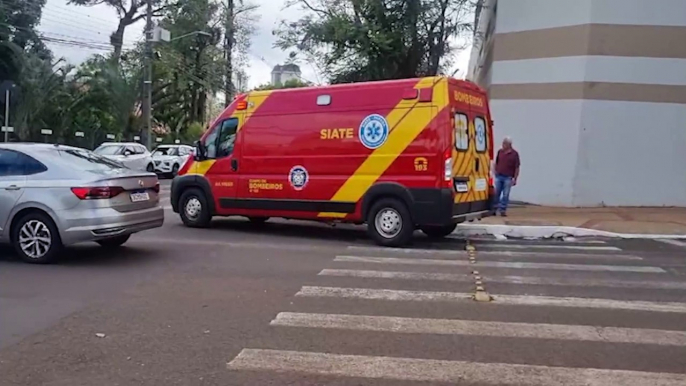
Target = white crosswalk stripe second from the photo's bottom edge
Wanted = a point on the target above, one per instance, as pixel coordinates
(481, 328)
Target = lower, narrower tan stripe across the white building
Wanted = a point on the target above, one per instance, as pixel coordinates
(630, 92)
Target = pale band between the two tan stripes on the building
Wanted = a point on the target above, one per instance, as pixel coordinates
(610, 69)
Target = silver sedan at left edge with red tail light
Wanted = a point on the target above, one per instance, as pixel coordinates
(52, 196)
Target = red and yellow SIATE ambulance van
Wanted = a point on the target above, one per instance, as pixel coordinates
(397, 155)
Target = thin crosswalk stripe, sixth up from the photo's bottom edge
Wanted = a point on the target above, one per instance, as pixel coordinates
(413, 251)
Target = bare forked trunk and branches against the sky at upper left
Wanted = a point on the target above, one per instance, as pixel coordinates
(130, 12)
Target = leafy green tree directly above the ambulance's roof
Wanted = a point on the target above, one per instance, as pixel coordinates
(358, 40)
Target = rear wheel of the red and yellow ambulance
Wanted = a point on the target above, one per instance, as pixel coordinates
(389, 223)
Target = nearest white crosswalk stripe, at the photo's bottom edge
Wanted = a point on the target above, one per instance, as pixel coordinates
(432, 370)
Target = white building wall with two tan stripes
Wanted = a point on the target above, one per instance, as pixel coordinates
(594, 94)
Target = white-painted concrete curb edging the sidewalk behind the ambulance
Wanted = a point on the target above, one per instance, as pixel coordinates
(543, 232)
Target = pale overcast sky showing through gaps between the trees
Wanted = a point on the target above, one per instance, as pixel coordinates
(95, 24)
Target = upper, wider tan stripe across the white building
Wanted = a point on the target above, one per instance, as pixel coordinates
(592, 39)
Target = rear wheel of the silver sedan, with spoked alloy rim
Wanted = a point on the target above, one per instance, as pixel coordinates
(36, 238)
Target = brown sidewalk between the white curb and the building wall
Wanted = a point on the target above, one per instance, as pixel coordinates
(664, 221)
